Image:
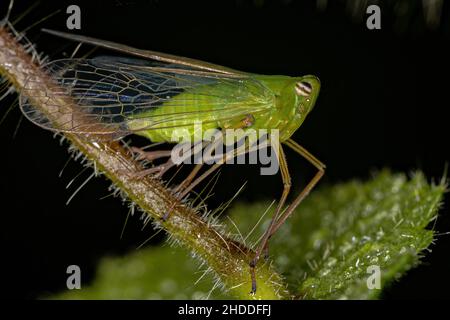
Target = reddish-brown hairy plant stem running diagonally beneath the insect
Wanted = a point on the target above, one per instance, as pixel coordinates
(227, 258)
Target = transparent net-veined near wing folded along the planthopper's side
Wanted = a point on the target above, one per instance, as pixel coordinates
(109, 92)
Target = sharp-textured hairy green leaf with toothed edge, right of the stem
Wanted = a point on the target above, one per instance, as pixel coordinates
(338, 232)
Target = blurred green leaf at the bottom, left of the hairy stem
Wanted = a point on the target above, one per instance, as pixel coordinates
(151, 273)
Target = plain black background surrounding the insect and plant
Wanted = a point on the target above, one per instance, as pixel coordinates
(383, 103)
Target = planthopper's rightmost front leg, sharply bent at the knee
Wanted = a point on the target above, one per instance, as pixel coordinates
(321, 170)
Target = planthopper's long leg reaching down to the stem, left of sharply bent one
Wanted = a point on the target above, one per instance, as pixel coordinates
(267, 234)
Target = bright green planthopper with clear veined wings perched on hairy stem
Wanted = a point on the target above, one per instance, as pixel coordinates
(161, 96)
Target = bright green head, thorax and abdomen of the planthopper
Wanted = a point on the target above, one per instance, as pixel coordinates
(288, 109)
